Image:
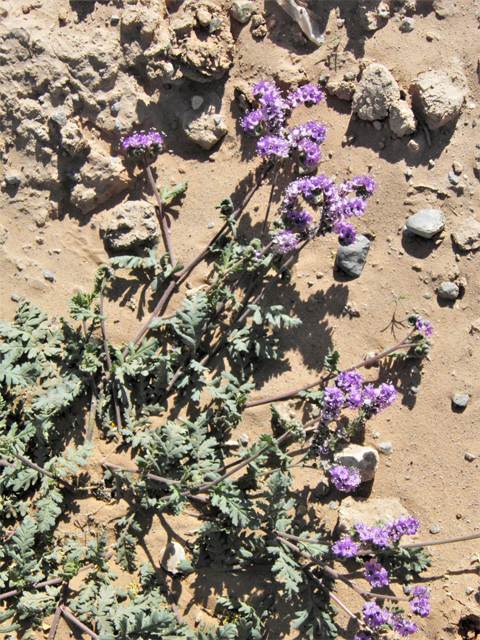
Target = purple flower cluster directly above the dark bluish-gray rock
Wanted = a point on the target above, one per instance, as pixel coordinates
(337, 206)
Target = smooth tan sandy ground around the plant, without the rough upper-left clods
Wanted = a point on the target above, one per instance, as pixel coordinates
(427, 470)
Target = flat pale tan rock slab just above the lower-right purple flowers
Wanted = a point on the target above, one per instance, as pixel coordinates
(369, 512)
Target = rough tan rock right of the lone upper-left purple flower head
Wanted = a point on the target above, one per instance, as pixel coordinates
(205, 126)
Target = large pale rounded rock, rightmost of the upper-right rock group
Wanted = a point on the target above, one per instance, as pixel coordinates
(439, 96)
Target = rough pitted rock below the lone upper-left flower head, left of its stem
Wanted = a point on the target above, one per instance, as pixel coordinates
(130, 225)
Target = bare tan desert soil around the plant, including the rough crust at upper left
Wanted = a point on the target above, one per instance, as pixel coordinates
(80, 58)
